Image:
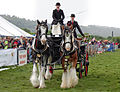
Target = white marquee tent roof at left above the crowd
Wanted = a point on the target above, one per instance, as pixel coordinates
(8, 29)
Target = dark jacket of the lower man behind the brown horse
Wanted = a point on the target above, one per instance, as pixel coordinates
(75, 25)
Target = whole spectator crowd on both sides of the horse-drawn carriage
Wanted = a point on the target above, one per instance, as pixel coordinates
(94, 46)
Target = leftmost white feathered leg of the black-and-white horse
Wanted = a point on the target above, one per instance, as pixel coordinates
(34, 80)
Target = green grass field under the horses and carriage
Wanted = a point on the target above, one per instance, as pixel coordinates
(104, 76)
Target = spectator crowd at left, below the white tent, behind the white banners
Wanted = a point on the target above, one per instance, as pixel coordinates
(17, 43)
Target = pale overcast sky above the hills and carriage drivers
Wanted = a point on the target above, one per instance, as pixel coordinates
(88, 12)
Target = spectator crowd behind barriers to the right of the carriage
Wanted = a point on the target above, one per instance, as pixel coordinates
(96, 47)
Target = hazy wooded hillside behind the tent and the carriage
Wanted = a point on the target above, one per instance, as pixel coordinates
(92, 29)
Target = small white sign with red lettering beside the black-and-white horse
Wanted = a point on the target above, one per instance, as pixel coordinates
(22, 57)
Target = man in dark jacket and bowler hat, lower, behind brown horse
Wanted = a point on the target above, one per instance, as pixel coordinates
(75, 25)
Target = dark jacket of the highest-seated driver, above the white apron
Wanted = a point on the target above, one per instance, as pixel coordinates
(58, 16)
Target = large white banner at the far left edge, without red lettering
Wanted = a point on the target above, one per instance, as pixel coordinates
(8, 57)
